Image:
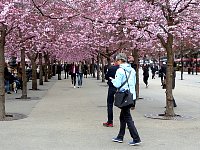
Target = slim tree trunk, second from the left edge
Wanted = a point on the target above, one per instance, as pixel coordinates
(24, 78)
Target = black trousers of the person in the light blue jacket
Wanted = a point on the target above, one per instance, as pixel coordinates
(126, 118)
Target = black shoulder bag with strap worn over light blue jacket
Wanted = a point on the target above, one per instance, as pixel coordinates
(124, 99)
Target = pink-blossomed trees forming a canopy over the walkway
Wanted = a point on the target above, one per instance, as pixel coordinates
(76, 30)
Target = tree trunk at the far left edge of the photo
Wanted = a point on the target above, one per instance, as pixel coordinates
(2, 65)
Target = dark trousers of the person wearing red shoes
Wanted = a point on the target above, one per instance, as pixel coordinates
(110, 101)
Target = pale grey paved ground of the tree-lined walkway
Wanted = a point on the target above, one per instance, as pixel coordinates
(63, 118)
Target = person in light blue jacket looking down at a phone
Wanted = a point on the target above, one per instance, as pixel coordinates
(125, 115)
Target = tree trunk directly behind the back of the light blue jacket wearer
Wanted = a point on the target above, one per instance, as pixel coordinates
(136, 58)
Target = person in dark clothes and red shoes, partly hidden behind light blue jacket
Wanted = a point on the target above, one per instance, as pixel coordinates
(111, 92)
